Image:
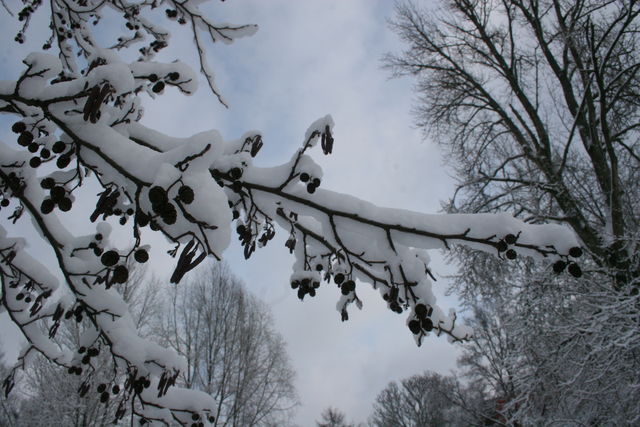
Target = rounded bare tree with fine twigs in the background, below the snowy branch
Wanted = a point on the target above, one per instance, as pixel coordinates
(232, 351)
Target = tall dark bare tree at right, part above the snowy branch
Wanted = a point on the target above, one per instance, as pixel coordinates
(537, 102)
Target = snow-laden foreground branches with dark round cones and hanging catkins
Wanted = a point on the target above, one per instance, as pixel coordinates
(79, 123)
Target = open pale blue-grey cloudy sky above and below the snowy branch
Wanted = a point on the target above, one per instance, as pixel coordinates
(311, 58)
